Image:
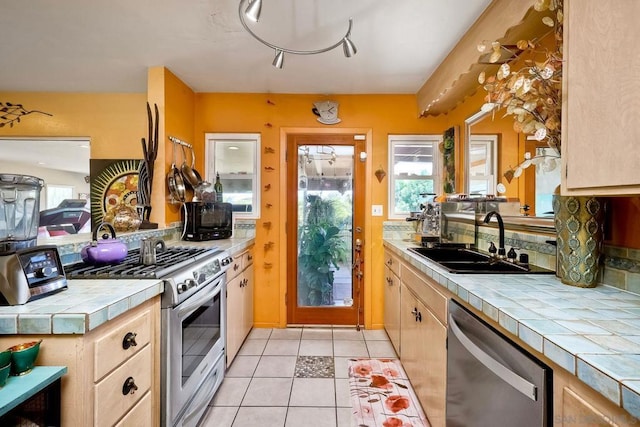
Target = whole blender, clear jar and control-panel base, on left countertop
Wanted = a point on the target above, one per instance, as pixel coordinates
(27, 271)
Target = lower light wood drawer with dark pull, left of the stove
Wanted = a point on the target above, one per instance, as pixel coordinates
(110, 402)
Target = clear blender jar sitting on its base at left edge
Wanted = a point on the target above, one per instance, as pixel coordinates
(19, 212)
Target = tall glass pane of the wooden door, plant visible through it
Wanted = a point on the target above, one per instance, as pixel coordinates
(325, 221)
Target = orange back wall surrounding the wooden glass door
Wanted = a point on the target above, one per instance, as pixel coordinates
(267, 114)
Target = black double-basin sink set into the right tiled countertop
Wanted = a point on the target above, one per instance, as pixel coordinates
(460, 260)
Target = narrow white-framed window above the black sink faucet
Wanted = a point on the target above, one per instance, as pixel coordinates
(482, 164)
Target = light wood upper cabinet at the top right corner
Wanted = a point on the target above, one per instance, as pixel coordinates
(601, 98)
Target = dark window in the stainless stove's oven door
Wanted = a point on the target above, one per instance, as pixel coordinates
(200, 331)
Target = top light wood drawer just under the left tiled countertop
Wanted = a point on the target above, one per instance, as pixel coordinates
(110, 349)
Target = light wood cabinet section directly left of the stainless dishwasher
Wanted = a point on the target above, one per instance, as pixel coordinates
(423, 338)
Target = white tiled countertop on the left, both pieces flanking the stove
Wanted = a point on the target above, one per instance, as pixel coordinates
(87, 304)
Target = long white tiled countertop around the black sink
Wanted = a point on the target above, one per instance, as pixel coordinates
(593, 333)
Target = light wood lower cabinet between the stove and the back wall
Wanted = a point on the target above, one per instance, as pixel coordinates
(240, 284)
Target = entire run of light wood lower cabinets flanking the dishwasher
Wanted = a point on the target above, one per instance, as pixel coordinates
(423, 334)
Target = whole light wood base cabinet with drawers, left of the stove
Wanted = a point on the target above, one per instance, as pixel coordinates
(113, 371)
